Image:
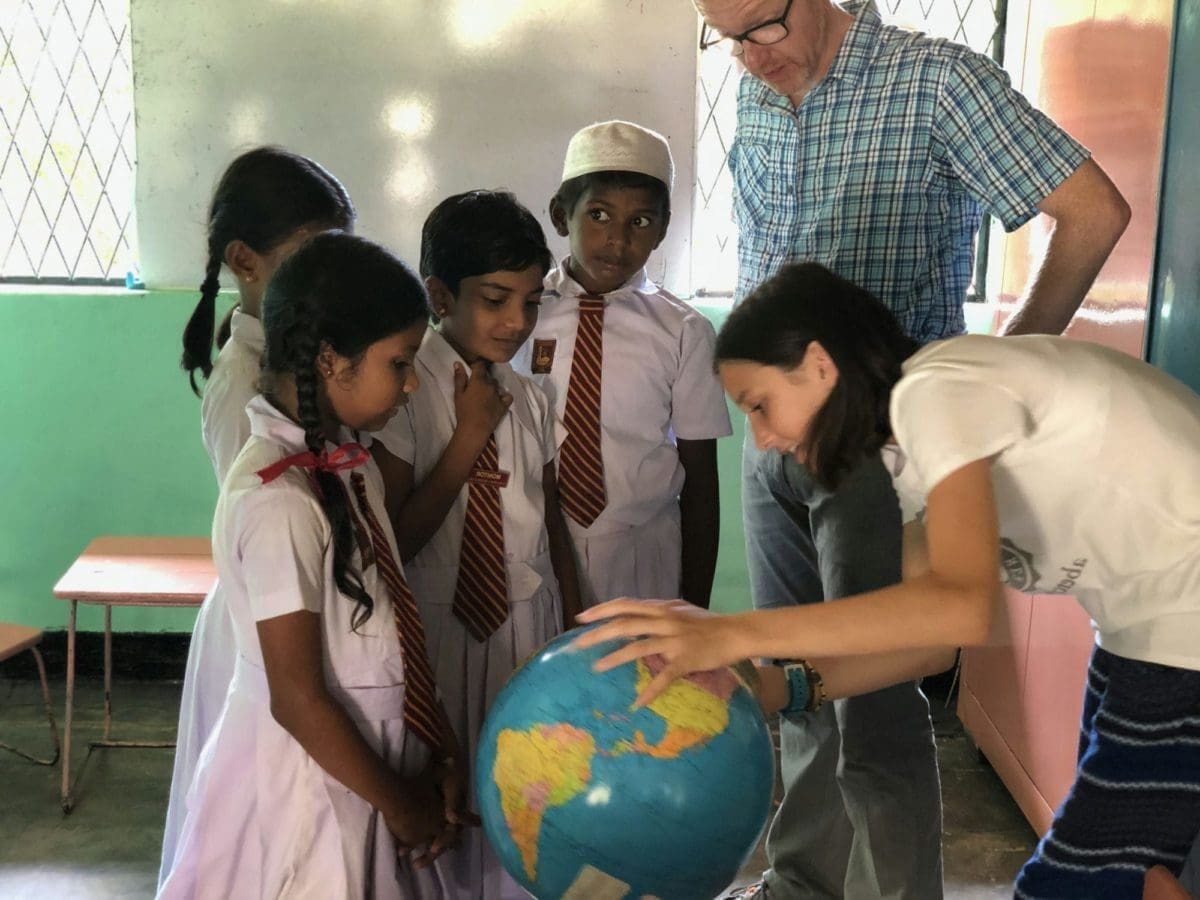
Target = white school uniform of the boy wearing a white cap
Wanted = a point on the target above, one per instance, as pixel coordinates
(658, 386)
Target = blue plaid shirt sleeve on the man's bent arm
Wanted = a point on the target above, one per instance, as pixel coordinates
(1006, 153)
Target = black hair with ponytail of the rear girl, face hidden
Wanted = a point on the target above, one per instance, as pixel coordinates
(263, 199)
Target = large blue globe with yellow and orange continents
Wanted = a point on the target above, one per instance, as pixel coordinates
(584, 796)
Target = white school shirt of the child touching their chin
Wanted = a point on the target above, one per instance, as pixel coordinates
(526, 441)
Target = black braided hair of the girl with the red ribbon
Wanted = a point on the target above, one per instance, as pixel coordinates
(349, 293)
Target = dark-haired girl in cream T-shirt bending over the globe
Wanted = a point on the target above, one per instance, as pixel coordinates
(1072, 464)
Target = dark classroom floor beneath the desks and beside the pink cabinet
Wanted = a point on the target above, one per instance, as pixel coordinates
(109, 847)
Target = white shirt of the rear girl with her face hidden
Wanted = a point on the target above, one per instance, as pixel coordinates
(233, 383)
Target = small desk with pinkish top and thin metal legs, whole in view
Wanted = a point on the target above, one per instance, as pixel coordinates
(128, 572)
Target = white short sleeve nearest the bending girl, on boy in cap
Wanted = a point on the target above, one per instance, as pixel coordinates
(698, 403)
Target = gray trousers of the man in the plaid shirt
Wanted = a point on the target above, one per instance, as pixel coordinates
(862, 813)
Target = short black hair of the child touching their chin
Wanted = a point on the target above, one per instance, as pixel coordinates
(481, 232)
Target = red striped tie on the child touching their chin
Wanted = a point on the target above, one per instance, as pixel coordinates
(482, 596)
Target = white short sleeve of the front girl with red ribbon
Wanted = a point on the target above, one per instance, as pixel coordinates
(284, 543)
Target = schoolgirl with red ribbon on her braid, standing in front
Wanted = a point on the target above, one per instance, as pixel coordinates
(333, 771)
